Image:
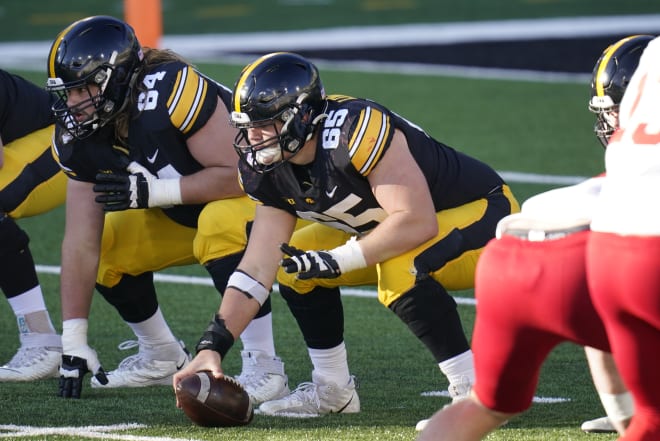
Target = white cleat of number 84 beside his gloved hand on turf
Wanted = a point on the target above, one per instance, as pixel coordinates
(153, 365)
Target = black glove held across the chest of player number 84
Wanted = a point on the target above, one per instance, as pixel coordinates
(120, 192)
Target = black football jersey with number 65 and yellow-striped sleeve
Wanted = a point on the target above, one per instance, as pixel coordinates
(334, 189)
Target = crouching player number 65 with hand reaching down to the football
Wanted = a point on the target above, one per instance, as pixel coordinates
(390, 206)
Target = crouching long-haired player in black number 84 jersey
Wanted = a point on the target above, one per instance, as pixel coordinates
(145, 141)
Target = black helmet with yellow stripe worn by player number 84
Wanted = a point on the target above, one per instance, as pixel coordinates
(99, 50)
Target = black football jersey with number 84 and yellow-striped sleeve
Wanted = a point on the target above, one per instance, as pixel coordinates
(176, 103)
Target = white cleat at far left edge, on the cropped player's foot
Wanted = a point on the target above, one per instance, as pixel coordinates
(32, 363)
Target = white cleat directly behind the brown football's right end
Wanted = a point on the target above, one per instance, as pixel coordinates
(263, 377)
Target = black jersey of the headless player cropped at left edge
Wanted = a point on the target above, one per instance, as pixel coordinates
(24, 107)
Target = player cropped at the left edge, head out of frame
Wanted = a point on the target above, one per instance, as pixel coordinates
(31, 183)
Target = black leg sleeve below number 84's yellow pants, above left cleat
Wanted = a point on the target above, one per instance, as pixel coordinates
(134, 297)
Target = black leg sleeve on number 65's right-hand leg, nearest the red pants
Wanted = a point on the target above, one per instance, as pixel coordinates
(431, 314)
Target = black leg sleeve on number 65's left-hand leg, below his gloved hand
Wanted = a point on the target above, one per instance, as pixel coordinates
(320, 315)
